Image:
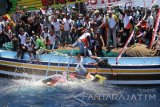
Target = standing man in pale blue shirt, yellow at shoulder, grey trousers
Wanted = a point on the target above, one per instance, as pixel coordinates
(112, 22)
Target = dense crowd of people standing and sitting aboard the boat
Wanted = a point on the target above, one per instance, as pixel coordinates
(39, 31)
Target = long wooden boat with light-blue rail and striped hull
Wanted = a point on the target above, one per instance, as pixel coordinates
(130, 70)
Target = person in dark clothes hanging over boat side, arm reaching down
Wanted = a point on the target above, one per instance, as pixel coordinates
(102, 63)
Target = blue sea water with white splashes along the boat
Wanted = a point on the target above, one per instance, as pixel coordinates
(78, 93)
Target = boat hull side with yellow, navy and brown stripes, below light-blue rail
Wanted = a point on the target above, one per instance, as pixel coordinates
(27, 69)
